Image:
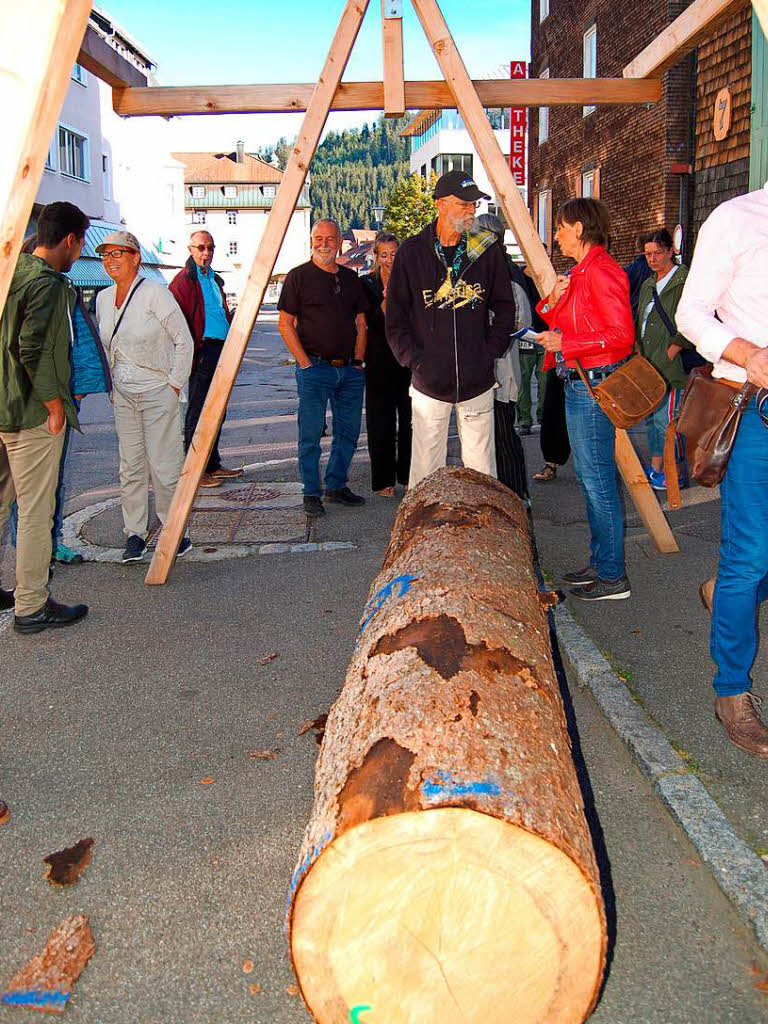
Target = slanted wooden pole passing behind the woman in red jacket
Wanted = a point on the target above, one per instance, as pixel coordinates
(520, 221)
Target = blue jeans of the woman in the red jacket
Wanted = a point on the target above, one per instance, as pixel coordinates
(592, 441)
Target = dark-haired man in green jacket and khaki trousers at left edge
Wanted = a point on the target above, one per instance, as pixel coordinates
(35, 405)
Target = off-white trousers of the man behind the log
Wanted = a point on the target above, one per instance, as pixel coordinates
(431, 419)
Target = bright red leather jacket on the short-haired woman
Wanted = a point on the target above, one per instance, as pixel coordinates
(594, 315)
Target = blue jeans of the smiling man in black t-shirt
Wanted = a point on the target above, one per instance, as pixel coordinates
(344, 389)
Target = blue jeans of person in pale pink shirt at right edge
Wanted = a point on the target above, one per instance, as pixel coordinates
(743, 574)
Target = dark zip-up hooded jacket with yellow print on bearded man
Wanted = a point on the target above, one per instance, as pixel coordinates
(444, 333)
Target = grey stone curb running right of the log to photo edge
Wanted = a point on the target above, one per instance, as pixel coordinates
(739, 872)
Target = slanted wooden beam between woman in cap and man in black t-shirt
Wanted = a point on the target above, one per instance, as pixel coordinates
(250, 303)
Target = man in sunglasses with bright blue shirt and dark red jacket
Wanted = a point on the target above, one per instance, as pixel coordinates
(200, 293)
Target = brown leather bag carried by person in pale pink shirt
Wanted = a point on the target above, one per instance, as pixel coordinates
(709, 418)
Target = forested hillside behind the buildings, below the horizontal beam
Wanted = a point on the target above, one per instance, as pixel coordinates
(355, 170)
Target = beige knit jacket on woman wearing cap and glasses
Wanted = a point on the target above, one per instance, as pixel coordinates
(153, 333)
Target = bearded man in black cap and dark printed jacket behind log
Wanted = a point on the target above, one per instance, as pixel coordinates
(450, 314)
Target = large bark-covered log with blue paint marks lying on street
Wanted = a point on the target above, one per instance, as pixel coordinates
(448, 873)
